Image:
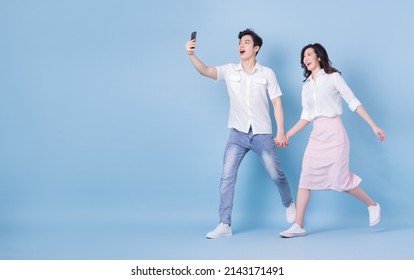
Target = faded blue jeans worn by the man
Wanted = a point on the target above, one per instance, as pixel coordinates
(238, 144)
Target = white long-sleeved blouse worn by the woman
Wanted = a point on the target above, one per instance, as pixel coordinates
(322, 97)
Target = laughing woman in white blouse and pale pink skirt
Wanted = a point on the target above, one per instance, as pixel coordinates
(326, 160)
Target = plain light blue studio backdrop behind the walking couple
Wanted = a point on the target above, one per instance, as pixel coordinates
(111, 143)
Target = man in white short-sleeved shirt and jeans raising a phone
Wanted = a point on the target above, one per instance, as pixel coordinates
(248, 84)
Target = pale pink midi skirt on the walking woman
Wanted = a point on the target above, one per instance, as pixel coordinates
(325, 164)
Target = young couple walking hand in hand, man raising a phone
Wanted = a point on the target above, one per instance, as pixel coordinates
(326, 160)
